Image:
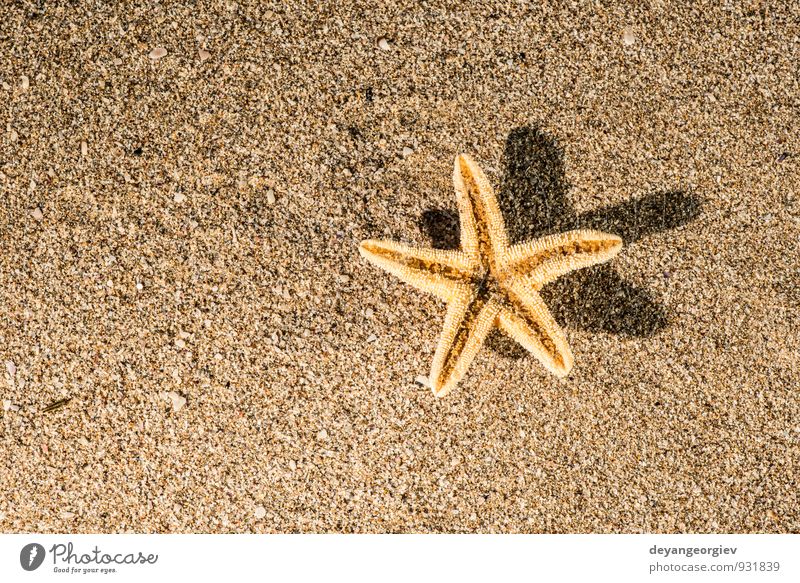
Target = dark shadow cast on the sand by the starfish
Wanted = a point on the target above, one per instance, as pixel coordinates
(533, 199)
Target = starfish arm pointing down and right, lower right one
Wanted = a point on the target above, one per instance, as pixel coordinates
(527, 320)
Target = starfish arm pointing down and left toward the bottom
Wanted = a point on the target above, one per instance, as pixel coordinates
(469, 320)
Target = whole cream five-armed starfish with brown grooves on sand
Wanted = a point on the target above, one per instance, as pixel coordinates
(490, 283)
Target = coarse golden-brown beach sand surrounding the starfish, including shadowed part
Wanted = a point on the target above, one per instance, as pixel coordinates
(182, 193)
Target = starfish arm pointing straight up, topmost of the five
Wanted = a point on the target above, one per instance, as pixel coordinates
(483, 231)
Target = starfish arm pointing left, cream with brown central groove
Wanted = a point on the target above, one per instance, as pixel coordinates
(436, 271)
